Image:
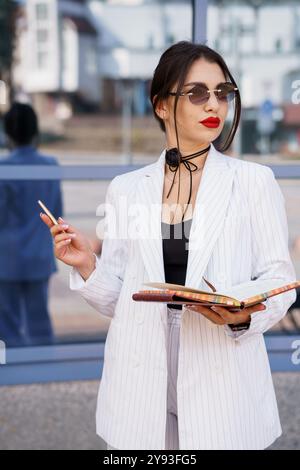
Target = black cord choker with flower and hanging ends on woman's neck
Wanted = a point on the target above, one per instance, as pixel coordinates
(173, 159)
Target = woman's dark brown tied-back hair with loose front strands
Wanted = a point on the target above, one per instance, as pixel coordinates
(173, 68)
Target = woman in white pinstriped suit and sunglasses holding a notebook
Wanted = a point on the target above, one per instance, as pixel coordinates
(215, 391)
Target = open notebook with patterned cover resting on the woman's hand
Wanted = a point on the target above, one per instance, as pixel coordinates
(243, 295)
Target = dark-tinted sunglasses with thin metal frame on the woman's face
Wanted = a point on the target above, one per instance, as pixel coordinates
(200, 94)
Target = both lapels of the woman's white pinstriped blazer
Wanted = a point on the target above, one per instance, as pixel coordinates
(209, 213)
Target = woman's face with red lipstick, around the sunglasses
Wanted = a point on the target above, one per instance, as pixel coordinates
(191, 132)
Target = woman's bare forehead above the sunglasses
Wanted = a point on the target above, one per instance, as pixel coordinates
(202, 71)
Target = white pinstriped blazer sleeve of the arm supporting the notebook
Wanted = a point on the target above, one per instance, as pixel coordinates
(270, 251)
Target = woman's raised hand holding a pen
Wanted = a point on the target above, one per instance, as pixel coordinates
(71, 247)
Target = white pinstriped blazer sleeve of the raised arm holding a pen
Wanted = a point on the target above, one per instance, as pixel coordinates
(101, 290)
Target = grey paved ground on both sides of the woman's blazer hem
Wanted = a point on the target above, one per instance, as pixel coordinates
(61, 415)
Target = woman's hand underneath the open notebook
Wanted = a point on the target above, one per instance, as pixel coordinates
(222, 315)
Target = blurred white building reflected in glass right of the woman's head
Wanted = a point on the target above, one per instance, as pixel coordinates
(260, 41)
